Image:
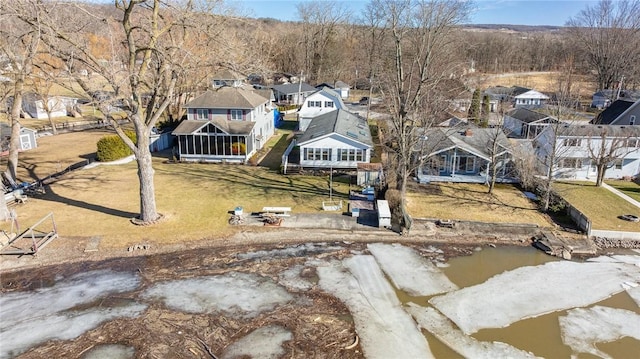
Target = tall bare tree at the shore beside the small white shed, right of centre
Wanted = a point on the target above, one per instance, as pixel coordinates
(416, 62)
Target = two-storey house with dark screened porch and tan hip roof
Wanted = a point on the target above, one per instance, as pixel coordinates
(228, 124)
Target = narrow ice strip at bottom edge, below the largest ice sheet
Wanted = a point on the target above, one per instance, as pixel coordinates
(469, 347)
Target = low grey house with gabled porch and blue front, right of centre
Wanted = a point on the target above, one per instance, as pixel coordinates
(464, 155)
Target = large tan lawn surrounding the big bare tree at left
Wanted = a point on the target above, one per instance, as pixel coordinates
(194, 198)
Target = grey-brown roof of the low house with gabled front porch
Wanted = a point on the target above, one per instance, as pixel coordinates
(476, 141)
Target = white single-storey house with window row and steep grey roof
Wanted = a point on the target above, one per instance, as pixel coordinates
(337, 139)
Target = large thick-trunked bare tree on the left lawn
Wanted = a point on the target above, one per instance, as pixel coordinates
(149, 45)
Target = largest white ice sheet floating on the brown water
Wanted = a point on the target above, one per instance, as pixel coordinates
(532, 291)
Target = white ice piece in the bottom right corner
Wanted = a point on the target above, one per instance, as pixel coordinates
(583, 328)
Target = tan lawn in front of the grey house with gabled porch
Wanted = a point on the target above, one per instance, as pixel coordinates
(463, 201)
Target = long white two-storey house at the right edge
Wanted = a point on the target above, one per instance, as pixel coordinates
(577, 147)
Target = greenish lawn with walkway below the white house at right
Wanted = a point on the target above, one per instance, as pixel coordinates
(599, 204)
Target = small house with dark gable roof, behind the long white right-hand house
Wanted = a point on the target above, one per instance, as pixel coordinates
(525, 123)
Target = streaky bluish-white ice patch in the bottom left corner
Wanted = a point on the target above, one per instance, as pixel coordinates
(31, 318)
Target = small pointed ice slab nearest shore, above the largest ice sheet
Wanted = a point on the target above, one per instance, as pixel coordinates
(409, 271)
